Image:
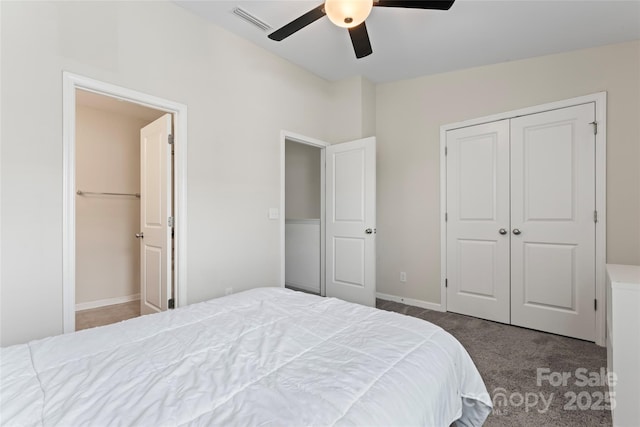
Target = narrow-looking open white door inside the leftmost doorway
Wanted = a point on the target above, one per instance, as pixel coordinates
(155, 209)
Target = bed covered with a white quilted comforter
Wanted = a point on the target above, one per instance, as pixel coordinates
(268, 357)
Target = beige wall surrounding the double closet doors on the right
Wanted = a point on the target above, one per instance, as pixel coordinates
(409, 116)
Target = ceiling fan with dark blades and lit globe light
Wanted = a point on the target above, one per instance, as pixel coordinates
(351, 14)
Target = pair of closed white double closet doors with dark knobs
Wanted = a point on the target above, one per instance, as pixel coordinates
(520, 224)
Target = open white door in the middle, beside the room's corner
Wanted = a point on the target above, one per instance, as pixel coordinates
(351, 221)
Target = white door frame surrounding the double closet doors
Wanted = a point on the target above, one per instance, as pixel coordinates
(600, 101)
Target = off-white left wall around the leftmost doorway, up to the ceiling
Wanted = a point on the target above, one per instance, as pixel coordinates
(239, 98)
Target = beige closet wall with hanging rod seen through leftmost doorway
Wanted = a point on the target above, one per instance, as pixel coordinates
(107, 160)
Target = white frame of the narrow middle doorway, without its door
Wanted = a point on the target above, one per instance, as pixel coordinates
(301, 139)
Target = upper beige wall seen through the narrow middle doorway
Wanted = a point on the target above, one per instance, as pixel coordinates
(302, 181)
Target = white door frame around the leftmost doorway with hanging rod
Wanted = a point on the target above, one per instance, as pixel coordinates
(70, 83)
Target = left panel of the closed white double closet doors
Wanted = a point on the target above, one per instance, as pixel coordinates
(478, 221)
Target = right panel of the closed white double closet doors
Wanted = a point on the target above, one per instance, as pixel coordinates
(552, 221)
